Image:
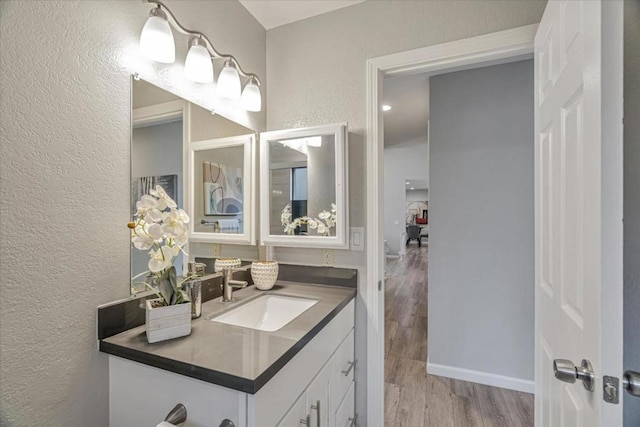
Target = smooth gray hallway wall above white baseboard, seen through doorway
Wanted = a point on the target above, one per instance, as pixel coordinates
(481, 232)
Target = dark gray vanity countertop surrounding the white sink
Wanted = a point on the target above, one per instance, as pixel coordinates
(231, 356)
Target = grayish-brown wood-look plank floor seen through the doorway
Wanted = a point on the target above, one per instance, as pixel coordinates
(413, 398)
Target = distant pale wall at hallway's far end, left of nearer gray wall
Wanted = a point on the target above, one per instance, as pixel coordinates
(400, 164)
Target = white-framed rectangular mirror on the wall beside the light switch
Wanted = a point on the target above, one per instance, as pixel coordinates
(303, 187)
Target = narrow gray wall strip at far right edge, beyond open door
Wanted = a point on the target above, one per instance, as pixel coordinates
(631, 202)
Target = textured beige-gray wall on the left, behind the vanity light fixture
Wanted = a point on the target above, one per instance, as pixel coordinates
(64, 190)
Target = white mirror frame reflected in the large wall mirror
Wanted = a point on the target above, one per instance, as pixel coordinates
(248, 142)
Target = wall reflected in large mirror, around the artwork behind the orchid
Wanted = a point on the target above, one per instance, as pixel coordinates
(156, 150)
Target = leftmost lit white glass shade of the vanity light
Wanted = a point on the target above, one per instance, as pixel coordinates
(156, 39)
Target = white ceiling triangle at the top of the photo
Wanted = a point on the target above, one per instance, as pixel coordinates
(274, 13)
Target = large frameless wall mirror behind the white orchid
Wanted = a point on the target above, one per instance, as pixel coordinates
(165, 130)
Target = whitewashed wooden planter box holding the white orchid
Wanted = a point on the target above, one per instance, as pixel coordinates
(165, 323)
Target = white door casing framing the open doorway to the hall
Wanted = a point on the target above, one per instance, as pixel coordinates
(488, 49)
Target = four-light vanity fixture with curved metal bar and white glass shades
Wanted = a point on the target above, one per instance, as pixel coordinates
(156, 43)
